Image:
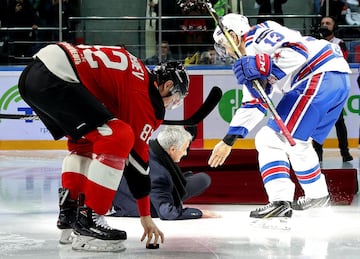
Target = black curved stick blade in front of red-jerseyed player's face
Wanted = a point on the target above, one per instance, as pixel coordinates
(209, 104)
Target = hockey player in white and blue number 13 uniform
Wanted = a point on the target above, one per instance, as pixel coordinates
(312, 76)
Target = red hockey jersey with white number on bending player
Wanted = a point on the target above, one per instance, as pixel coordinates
(121, 82)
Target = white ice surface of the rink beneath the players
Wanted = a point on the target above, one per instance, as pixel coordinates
(29, 181)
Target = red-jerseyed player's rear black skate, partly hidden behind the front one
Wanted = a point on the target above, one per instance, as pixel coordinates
(67, 216)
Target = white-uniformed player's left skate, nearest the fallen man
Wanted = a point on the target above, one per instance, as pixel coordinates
(275, 215)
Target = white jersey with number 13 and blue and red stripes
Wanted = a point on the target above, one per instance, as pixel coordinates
(295, 58)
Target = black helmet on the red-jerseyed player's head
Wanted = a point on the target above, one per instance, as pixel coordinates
(174, 71)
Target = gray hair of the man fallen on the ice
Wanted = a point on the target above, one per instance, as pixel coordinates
(173, 136)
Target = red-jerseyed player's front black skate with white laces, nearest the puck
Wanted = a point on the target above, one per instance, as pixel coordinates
(92, 233)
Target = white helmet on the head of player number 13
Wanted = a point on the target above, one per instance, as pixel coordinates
(237, 23)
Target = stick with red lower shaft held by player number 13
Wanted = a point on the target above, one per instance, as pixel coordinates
(256, 83)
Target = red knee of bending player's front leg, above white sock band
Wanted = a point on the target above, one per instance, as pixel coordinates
(114, 138)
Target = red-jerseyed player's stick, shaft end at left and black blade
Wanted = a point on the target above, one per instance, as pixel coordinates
(209, 104)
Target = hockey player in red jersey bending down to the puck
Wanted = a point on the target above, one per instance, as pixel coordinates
(107, 104)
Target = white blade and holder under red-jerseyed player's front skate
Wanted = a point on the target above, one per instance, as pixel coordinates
(85, 243)
